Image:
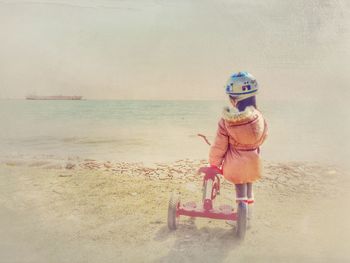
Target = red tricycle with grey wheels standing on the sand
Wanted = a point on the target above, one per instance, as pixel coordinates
(211, 188)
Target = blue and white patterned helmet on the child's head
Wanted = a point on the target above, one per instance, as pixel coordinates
(241, 85)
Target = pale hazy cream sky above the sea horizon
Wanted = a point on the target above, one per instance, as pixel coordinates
(183, 49)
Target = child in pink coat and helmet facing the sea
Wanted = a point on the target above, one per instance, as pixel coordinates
(241, 131)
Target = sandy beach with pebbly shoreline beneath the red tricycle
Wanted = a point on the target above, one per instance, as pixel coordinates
(93, 211)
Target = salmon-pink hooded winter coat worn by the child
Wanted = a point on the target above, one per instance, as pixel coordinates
(236, 146)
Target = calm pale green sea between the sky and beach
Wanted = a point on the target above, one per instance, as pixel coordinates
(153, 131)
